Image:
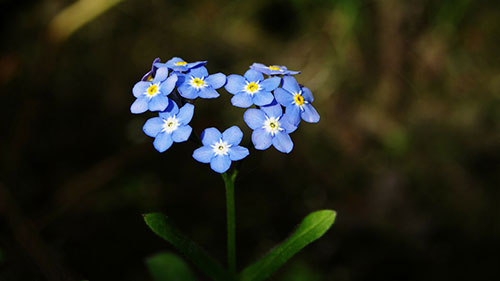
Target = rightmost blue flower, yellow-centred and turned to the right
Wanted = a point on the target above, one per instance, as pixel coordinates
(297, 101)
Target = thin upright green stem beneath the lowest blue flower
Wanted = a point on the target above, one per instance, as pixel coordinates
(231, 225)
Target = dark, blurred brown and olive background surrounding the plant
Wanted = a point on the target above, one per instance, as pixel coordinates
(407, 150)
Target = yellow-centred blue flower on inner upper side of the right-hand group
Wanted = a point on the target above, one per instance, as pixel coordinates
(251, 89)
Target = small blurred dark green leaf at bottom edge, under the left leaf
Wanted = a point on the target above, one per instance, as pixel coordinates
(169, 267)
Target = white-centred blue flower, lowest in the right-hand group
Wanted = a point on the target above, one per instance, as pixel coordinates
(270, 127)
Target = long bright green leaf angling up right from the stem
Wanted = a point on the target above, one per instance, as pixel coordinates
(311, 228)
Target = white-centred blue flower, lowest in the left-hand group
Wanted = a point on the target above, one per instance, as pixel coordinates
(171, 126)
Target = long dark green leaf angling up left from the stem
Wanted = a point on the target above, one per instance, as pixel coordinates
(163, 227)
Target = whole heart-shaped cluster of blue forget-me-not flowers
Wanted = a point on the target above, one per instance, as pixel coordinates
(278, 104)
